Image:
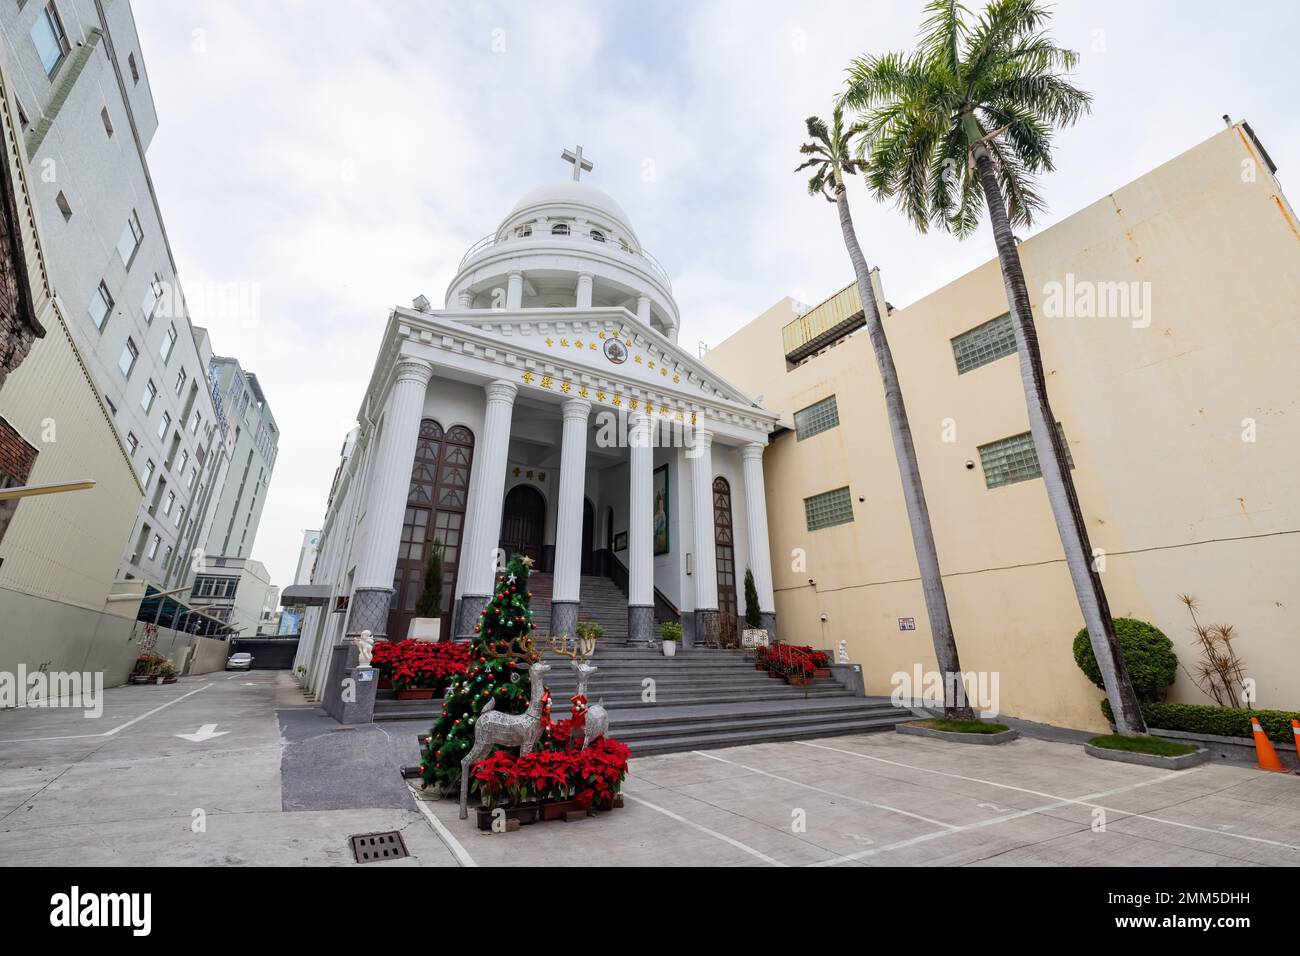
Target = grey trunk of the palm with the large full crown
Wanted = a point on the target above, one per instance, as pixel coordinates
(1050, 447)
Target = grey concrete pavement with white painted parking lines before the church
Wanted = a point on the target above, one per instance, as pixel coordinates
(284, 785)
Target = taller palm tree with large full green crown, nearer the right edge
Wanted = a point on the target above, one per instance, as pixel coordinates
(964, 123)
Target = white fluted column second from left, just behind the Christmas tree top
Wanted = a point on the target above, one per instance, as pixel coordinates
(487, 494)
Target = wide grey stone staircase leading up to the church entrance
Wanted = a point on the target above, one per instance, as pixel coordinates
(701, 699)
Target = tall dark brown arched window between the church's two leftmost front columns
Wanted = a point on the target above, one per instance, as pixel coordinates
(436, 512)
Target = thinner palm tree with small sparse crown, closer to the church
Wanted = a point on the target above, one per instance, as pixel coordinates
(830, 157)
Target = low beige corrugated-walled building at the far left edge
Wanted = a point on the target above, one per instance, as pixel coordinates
(59, 553)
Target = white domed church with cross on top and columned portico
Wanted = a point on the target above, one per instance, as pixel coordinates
(545, 410)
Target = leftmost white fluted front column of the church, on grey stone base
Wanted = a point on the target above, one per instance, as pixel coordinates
(387, 496)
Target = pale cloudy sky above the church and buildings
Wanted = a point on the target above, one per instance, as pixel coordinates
(341, 157)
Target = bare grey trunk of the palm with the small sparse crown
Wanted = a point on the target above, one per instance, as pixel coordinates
(918, 514)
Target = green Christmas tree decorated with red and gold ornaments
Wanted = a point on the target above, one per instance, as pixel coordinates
(493, 674)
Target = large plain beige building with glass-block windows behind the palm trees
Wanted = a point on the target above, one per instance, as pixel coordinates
(1171, 334)
